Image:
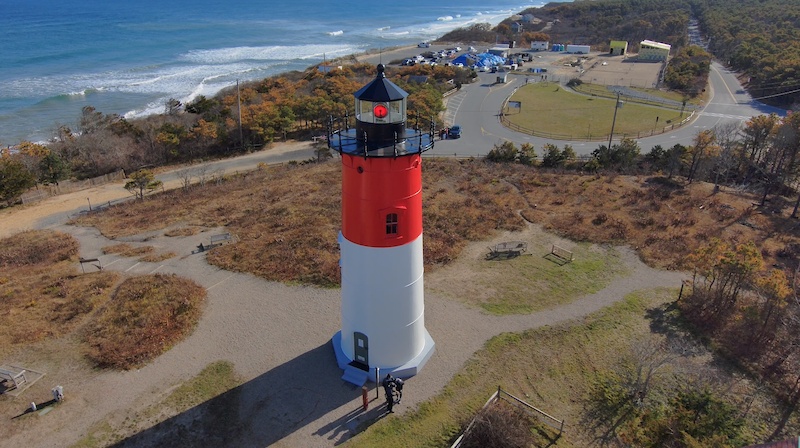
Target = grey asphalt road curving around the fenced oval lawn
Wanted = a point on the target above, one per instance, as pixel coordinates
(477, 106)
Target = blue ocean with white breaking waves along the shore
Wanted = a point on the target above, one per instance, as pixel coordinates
(128, 58)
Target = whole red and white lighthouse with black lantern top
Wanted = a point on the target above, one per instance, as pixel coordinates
(383, 309)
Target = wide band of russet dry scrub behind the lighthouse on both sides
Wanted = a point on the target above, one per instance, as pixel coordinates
(287, 218)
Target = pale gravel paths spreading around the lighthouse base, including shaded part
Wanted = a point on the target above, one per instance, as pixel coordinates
(278, 338)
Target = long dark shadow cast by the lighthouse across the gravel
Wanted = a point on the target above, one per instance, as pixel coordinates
(269, 408)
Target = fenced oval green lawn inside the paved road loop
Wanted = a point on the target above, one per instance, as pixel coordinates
(553, 110)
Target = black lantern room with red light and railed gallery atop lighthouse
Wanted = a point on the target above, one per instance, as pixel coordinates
(380, 129)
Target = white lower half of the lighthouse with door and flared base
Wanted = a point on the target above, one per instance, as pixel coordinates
(383, 310)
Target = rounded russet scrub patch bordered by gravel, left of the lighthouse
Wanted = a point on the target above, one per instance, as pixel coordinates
(146, 317)
